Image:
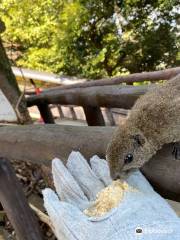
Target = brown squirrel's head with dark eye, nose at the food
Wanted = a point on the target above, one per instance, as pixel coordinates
(128, 150)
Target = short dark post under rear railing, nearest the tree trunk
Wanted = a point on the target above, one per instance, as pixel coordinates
(45, 113)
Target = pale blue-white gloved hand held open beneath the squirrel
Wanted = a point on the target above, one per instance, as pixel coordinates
(142, 214)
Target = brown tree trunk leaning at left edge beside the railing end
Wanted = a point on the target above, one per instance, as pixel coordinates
(9, 87)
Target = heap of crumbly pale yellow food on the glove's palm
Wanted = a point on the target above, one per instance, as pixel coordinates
(108, 198)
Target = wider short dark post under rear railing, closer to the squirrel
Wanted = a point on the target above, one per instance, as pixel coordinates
(94, 116)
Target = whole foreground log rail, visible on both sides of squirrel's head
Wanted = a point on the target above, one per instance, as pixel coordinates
(40, 144)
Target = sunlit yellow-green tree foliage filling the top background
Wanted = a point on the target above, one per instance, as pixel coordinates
(93, 38)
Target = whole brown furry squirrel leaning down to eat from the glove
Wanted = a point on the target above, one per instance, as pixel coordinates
(153, 121)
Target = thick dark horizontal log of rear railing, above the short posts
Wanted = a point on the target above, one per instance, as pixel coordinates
(107, 96)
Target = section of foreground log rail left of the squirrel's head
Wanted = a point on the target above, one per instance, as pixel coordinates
(41, 143)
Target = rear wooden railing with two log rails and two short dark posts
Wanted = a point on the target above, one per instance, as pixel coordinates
(92, 95)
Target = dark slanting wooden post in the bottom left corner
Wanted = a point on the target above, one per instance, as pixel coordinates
(15, 204)
